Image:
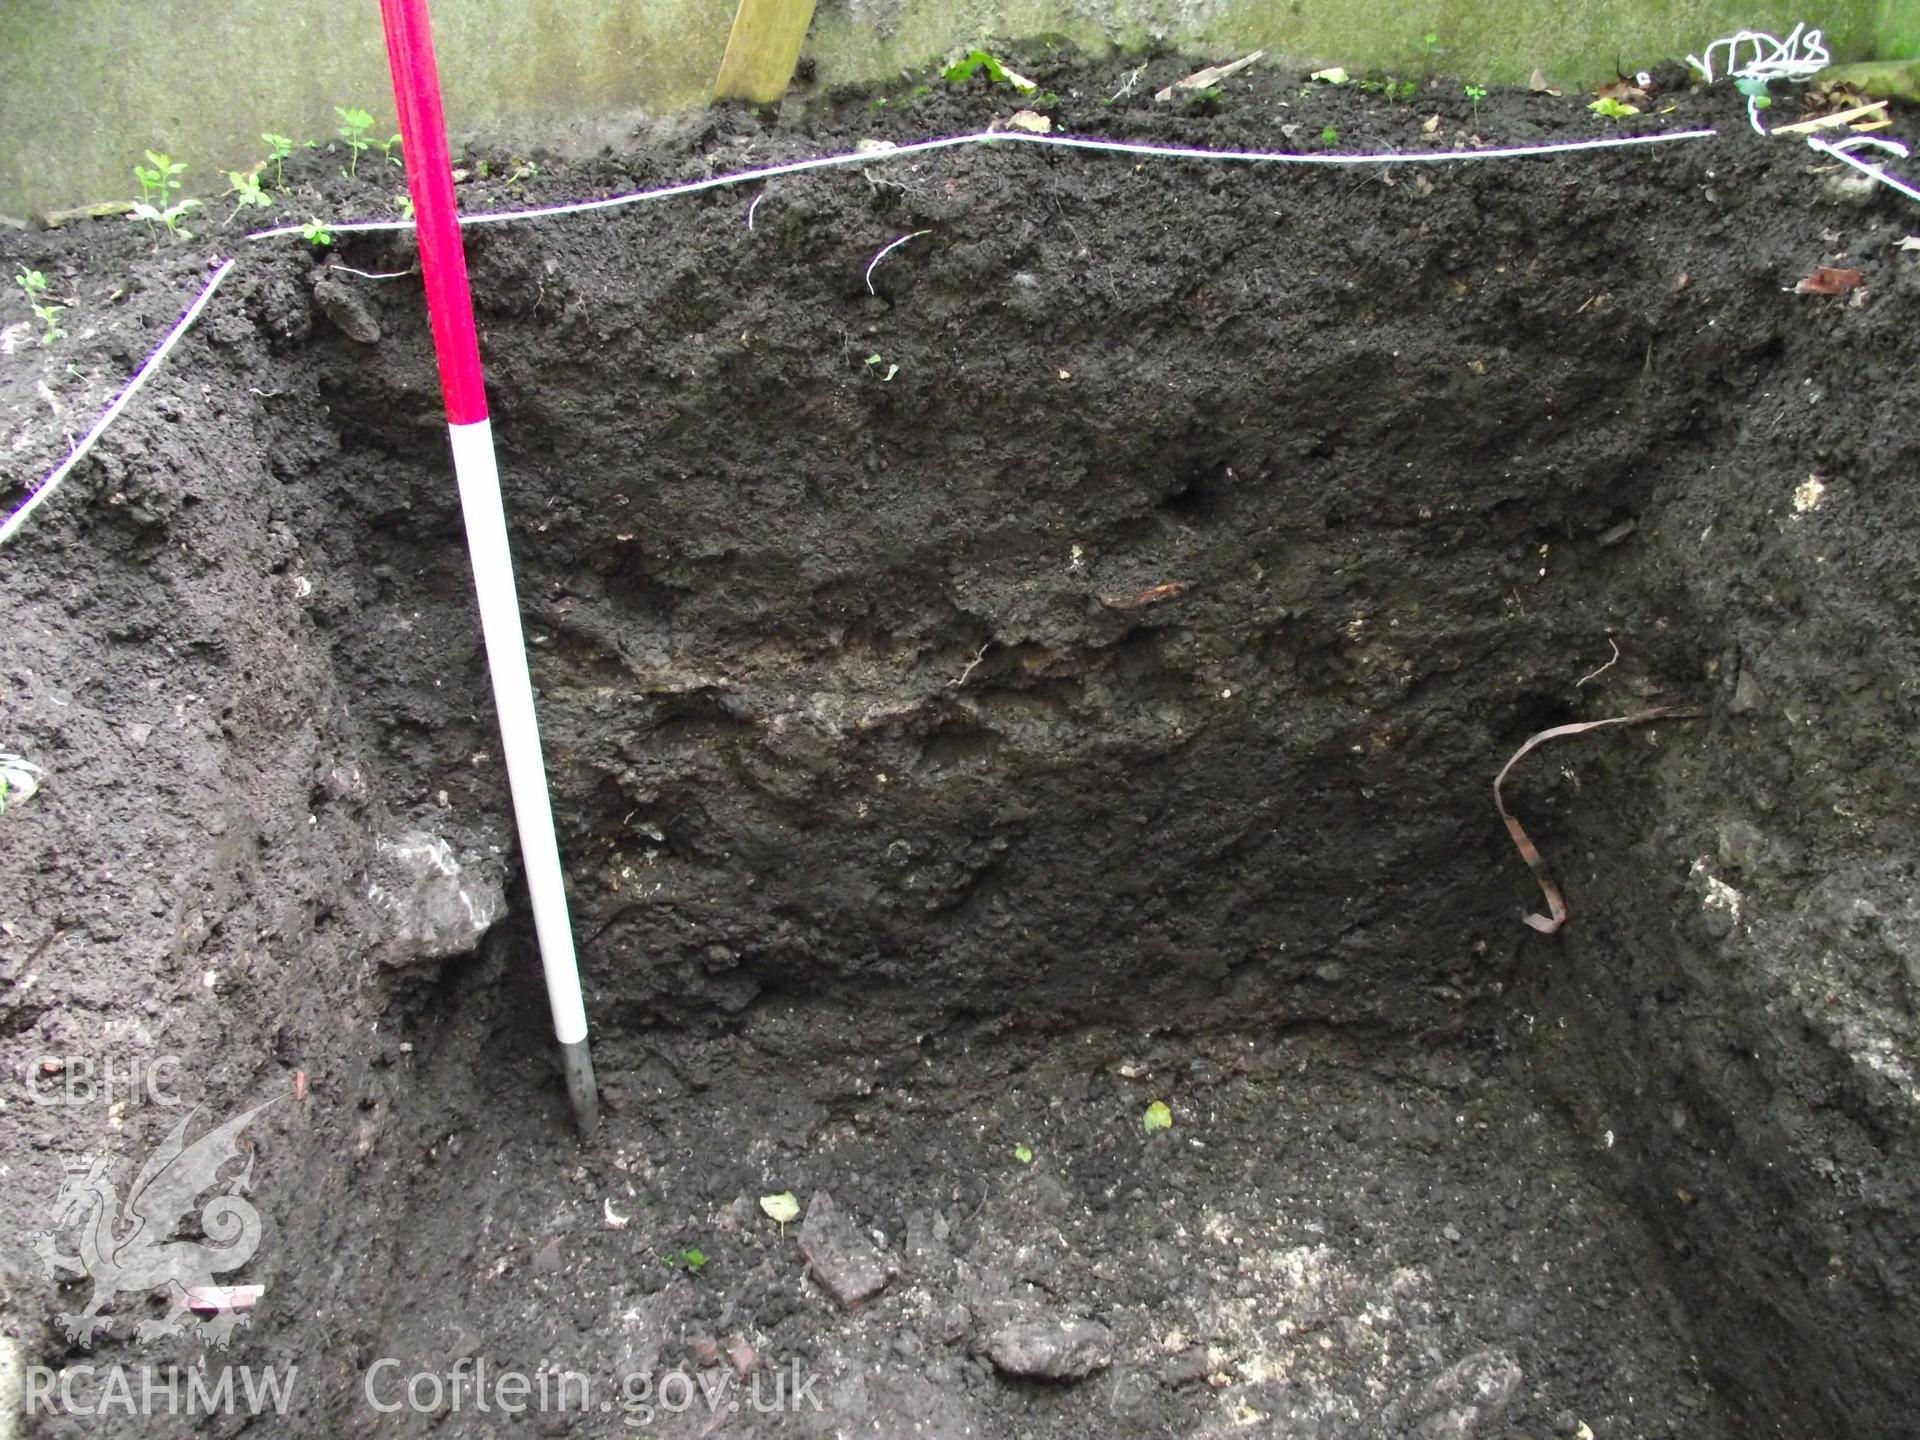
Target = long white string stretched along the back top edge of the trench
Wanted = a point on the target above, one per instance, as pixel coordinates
(1015, 137)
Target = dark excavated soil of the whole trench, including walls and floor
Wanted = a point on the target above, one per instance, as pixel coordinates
(1065, 679)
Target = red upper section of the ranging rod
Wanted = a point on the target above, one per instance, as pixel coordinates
(423, 143)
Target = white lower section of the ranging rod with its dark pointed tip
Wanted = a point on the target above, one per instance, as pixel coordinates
(519, 731)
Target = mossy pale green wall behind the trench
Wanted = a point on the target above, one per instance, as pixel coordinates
(87, 85)
